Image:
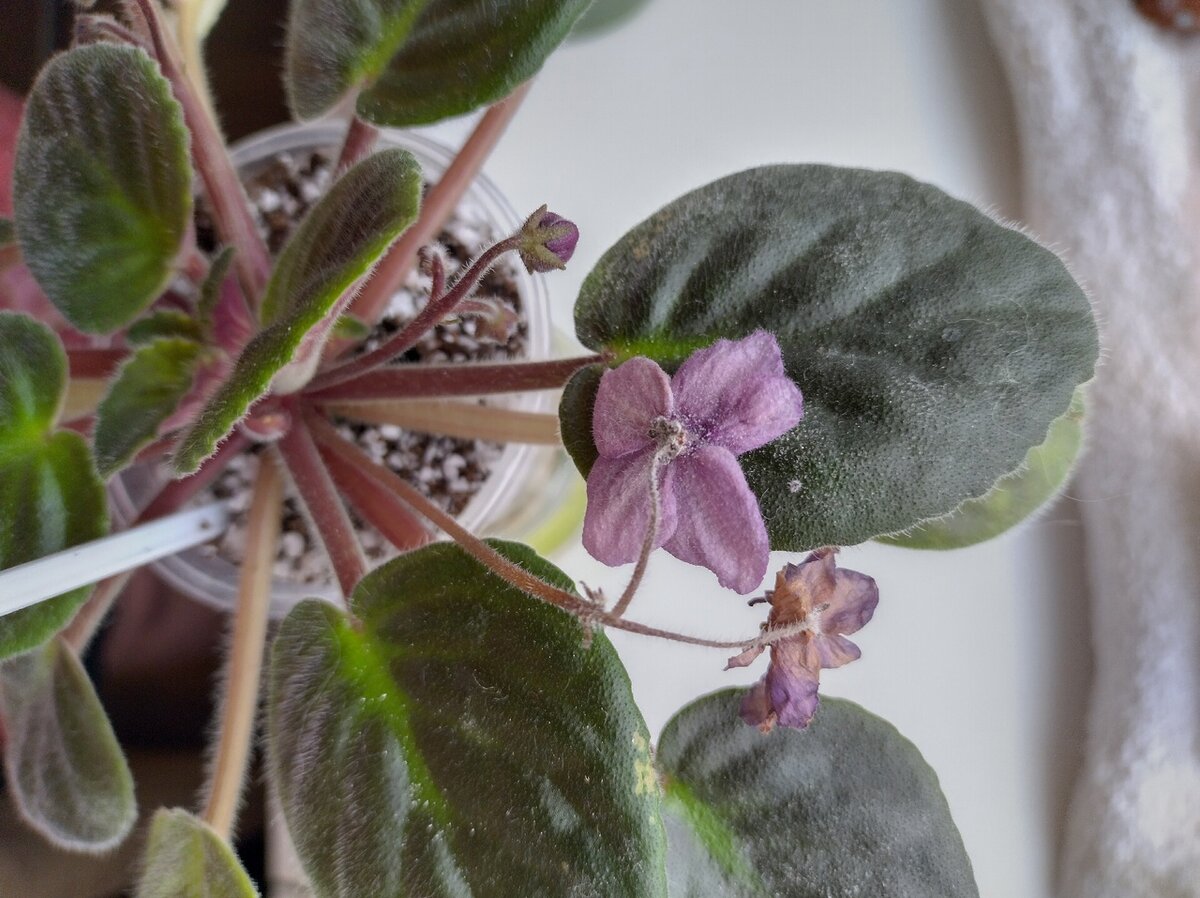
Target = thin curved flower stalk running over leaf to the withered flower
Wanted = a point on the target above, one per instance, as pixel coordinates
(346, 460)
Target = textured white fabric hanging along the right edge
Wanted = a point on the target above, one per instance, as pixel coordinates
(1109, 115)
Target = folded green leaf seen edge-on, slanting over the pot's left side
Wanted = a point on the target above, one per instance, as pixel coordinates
(335, 246)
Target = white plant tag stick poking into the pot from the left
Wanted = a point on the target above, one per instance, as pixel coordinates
(35, 582)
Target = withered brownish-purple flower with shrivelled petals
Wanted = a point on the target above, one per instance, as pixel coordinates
(825, 603)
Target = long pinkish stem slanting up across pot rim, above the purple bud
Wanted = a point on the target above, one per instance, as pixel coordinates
(436, 208)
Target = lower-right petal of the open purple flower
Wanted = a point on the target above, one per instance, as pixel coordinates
(719, 524)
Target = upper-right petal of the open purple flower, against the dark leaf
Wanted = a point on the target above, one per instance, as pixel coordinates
(736, 393)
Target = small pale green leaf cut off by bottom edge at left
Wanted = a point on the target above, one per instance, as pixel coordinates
(187, 859)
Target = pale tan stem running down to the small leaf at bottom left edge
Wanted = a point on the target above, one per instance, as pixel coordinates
(241, 705)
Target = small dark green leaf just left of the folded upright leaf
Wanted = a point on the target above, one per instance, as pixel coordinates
(146, 393)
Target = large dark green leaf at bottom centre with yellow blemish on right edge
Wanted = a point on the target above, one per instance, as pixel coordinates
(460, 741)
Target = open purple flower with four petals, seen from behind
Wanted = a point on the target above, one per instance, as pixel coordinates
(687, 432)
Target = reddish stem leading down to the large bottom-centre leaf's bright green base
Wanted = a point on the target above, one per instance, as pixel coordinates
(321, 499)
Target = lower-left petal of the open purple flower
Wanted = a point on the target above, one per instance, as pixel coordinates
(620, 508)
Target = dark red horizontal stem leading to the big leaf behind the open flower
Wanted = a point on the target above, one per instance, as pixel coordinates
(469, 380)
